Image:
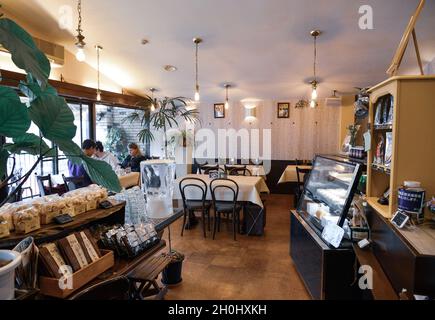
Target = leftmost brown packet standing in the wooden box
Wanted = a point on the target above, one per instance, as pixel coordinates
(52, 260)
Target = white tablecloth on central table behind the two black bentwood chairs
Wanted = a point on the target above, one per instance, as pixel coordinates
(249, 189)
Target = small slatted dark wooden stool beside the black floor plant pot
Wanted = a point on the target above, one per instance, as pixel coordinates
(144, 278)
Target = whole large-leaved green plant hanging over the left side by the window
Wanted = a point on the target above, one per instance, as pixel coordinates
(47, 110)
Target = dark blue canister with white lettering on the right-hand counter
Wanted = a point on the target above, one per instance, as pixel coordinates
(411, 198)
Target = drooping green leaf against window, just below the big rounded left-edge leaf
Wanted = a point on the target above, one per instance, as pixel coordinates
(30, 143)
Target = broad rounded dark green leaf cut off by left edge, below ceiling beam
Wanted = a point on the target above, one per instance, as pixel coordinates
(14, 118)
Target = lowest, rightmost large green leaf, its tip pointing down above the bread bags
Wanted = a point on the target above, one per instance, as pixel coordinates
(102, 173)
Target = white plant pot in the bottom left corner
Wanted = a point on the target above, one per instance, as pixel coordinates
(7, 274)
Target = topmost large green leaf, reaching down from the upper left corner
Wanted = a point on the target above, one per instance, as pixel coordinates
(25, 53)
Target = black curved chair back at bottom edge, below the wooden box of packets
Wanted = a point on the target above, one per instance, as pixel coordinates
(112, 289)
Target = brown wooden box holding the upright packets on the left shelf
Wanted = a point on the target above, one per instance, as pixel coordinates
(50, 286)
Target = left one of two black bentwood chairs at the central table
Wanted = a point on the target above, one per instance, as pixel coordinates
(198, 204)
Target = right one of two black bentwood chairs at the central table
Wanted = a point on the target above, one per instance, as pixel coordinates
(225, 207)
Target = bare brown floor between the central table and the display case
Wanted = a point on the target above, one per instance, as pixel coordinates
(251, 268)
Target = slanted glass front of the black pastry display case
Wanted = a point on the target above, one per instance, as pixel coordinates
(329, 191)
